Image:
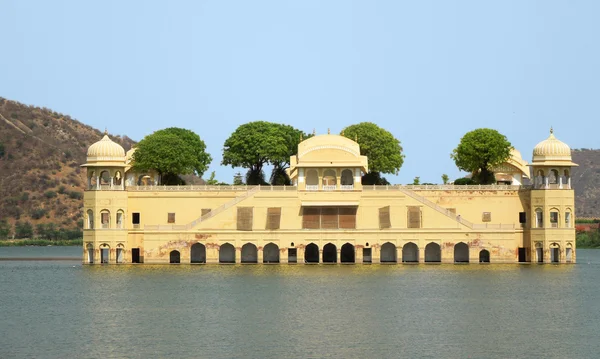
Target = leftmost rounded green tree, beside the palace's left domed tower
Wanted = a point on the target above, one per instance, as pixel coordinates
(172, 152)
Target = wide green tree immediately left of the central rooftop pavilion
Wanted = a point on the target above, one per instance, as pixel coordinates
(256, 144)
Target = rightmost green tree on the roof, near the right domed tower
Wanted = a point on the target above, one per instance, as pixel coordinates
(479, 151)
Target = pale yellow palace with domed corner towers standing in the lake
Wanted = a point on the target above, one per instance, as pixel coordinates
(327, 216)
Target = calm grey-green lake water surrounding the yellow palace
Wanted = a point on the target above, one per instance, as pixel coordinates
(61, 309)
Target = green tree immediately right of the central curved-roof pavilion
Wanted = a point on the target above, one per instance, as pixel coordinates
(380, 146)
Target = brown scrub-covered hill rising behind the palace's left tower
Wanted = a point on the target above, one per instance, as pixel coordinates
(41, 182)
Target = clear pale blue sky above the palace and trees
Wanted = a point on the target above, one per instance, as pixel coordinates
(427, 71)
